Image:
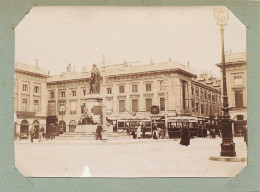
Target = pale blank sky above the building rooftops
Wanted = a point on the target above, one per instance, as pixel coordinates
(81, 35)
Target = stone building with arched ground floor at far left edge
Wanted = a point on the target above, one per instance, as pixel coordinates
(30, 97)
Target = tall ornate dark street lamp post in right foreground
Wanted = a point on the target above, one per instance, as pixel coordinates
(227, 146)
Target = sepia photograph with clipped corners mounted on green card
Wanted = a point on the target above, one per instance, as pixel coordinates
(130, 92)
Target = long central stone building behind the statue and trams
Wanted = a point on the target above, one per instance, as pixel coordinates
(129, 89)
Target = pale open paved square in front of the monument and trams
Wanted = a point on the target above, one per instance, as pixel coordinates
(126, 158)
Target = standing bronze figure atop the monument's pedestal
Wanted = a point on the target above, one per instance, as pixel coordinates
(94, 80)
